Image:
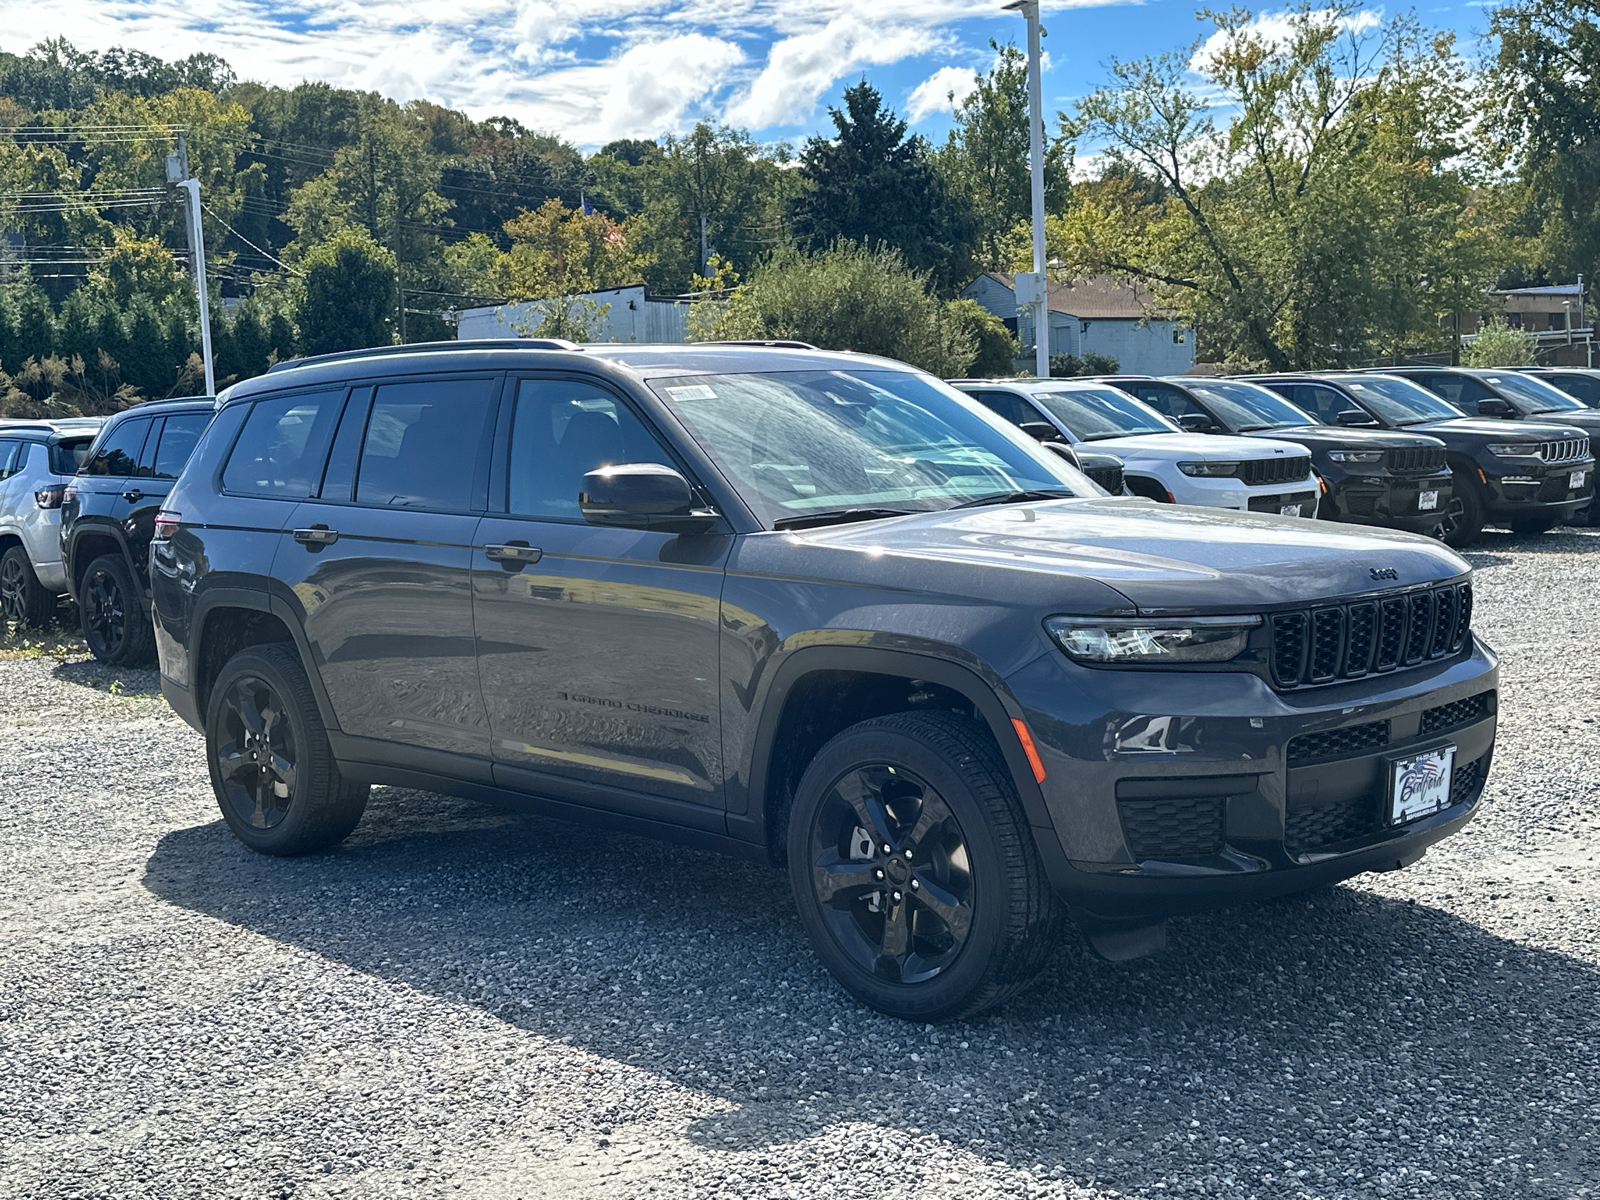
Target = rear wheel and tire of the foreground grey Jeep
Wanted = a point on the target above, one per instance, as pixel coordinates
(271, 766)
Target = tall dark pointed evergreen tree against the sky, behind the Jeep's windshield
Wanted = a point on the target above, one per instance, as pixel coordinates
(876, 186)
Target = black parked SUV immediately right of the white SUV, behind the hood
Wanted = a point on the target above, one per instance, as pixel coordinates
(1369, 478)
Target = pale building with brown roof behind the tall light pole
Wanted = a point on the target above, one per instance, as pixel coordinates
(1094, 316)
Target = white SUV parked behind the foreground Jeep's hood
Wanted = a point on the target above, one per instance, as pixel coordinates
(1162, 462)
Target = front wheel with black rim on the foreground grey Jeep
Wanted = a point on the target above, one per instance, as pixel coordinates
(934, 790)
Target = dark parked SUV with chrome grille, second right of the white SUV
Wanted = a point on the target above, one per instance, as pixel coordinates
(1529, 476)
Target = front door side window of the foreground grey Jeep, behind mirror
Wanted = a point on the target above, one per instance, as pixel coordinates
(564, 430)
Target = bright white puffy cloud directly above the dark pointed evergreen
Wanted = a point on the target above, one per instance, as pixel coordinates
(799, 70)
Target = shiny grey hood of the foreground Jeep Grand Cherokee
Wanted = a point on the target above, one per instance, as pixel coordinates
(1162, 558)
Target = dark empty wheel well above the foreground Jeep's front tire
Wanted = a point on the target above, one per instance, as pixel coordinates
(826, 703)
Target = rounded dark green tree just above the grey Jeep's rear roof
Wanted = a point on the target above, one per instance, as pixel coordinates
(346, 300)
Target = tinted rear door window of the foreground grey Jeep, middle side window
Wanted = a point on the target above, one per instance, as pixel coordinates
(423, 444)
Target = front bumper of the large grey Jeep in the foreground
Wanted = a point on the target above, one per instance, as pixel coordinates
(1231, 791)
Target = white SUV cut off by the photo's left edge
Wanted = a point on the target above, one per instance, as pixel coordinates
(38, 462)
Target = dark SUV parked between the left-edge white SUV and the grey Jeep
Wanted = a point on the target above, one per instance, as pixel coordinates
(108, 519)
